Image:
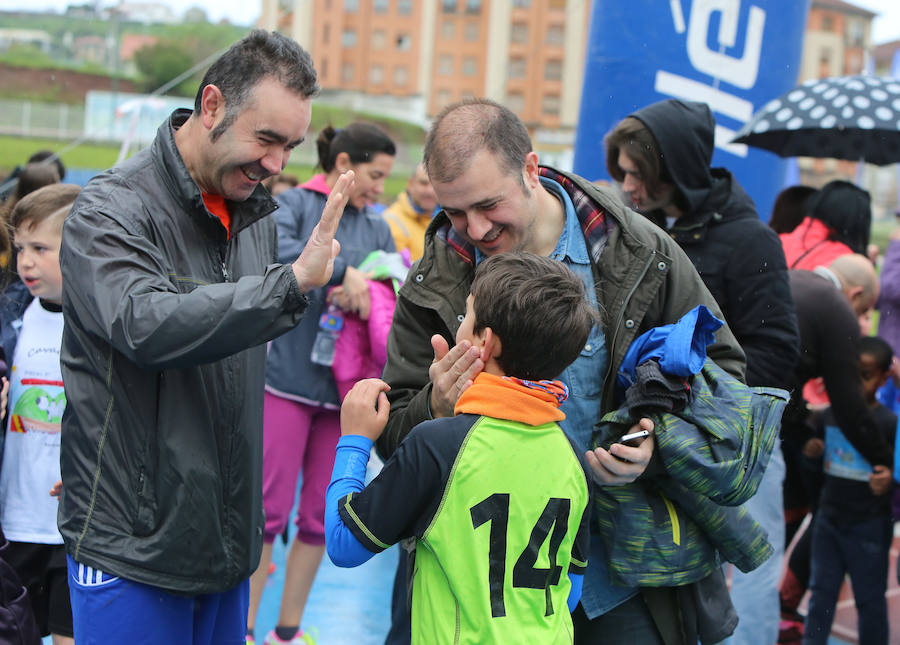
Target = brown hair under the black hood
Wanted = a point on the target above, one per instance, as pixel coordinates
(633, 138)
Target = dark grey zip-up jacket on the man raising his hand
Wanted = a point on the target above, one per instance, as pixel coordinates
(163, 357)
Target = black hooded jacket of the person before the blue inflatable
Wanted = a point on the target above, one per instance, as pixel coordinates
(738, 257)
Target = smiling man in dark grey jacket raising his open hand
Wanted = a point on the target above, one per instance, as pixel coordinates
(170, 293)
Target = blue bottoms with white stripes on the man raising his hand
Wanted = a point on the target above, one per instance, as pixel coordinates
(108, 610)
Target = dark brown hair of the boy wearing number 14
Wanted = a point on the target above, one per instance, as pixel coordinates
(539, 310)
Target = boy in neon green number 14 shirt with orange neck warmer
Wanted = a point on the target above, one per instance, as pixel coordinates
(496, 496)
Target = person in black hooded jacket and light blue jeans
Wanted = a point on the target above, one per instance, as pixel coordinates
(661, 154)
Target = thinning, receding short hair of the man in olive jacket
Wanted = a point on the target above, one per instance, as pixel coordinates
(463, 129)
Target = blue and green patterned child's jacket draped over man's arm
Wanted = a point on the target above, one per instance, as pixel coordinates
(676, 525)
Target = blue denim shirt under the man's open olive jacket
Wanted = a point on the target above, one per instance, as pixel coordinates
(584, 378)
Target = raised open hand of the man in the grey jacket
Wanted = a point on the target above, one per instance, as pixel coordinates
(316, 262)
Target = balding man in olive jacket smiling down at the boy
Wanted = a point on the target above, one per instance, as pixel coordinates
(495, 198)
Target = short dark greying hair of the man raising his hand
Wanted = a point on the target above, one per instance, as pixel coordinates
(262, 54)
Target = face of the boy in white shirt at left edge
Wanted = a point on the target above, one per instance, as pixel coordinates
(37, 259)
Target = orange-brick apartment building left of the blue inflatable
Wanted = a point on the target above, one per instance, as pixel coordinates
(526, 54)
